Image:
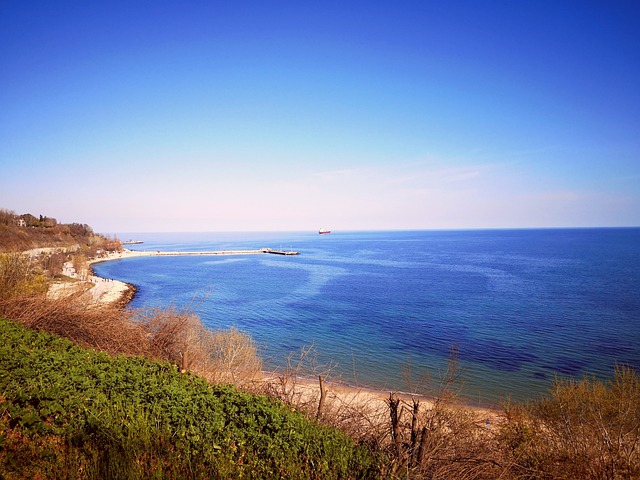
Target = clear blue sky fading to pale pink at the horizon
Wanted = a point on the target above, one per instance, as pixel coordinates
(158, 115)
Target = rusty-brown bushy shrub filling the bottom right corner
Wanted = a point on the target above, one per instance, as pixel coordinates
(584, 429)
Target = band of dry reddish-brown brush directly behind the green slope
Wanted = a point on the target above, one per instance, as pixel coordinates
(172, 335)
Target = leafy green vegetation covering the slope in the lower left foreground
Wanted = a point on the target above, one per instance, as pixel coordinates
(68, 412)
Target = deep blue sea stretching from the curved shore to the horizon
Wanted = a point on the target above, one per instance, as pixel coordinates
(392, 310)
